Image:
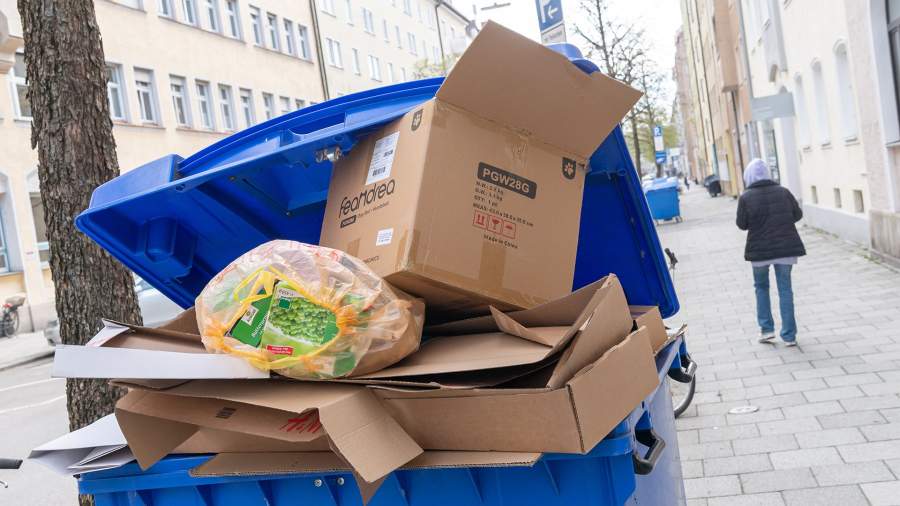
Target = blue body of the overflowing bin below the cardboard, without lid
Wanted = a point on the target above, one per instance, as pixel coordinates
(604, 477)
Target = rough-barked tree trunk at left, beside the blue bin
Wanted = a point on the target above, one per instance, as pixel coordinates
(72, 132)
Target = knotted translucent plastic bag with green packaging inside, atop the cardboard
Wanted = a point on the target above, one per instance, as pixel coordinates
(307, 311)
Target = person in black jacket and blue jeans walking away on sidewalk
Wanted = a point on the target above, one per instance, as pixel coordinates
(768, 212)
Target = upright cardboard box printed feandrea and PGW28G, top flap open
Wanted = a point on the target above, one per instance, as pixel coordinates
(474, 198)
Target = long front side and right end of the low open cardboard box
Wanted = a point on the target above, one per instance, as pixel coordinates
(570, 419)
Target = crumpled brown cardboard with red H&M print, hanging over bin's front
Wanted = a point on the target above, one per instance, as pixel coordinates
(358, 429)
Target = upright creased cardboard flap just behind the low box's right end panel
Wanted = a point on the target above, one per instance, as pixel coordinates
(608, 324)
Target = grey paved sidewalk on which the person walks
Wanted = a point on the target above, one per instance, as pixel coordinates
(827, 430)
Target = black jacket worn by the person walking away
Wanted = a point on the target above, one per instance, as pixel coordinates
(768, 212)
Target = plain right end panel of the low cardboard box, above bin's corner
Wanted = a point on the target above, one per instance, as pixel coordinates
(607, 390)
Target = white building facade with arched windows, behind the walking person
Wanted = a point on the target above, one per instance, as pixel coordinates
(818, 149)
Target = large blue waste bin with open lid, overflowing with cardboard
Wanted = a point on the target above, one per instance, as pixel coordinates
(177, 221)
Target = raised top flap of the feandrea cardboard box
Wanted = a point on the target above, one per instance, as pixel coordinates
(501, 73)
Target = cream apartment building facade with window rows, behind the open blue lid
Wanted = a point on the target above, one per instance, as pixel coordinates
(183, 74)
